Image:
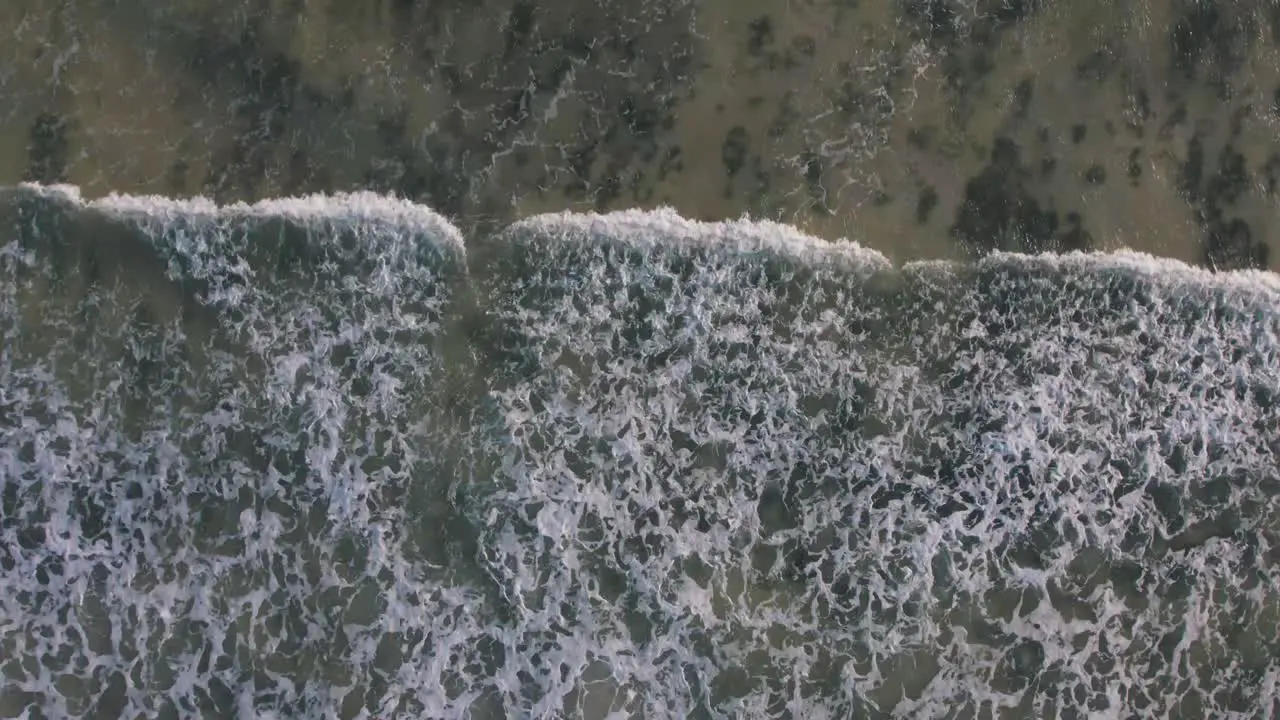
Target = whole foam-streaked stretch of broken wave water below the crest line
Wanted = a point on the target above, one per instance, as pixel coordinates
(322, 458)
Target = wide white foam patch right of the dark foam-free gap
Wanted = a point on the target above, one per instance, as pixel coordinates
(943, 491)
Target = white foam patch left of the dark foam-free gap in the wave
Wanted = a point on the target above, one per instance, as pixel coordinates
(230, 535)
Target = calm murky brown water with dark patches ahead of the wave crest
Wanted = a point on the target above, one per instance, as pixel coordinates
(920, 127)
